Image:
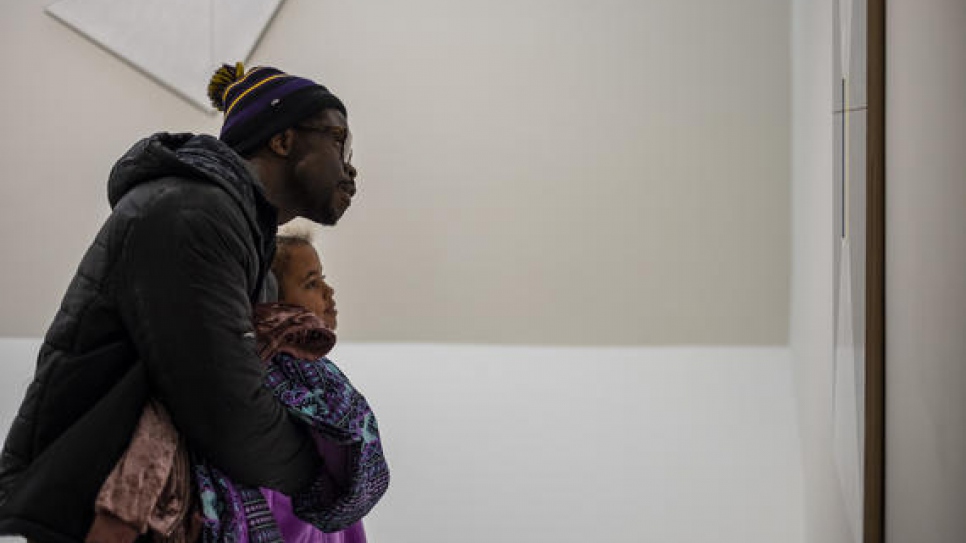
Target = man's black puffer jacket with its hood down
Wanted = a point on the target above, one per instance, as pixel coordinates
(160, 305)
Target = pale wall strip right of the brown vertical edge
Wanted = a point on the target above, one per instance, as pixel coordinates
(925, 271)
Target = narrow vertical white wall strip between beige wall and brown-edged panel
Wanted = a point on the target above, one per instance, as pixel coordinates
(812, 322)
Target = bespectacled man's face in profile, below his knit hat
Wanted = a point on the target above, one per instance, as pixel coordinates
(320, 180)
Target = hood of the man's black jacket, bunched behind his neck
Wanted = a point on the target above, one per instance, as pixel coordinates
(198, 157)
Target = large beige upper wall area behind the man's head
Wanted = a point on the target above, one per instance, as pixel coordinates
(565, 172)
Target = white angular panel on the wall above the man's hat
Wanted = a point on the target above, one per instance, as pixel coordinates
(179, 43)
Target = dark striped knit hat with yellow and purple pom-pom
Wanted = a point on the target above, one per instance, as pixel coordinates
(262, 102)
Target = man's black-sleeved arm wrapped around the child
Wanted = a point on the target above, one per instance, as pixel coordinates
(183, 293)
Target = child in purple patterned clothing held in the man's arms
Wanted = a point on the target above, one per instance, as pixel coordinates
(150, 488)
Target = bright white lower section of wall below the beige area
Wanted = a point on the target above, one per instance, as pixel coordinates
(569, 445)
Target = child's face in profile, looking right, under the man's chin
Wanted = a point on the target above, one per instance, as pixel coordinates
(303, 284)
